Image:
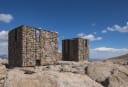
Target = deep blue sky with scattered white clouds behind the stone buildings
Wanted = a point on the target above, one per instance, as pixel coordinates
(104, 22)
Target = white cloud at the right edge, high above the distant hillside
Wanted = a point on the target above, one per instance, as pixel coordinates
(118, 28)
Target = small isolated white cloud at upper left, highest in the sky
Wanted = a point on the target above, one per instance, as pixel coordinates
(7, 18)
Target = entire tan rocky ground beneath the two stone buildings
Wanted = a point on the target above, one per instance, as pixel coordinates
(65, 74)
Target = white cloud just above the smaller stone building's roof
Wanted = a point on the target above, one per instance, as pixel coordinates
(91, 37)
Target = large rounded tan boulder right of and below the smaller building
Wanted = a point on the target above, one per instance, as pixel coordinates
(99, 71)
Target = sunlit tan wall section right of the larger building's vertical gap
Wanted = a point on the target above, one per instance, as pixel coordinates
(49, 45)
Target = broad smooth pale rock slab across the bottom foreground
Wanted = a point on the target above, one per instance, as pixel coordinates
(17, 78)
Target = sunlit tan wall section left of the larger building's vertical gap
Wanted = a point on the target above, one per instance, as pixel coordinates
(28, 55)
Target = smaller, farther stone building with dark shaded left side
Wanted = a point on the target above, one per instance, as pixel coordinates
(76, 49)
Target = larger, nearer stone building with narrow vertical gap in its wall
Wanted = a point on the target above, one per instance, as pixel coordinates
(28, 46)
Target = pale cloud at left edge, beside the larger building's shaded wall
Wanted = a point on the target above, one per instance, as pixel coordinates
(3, 42)
